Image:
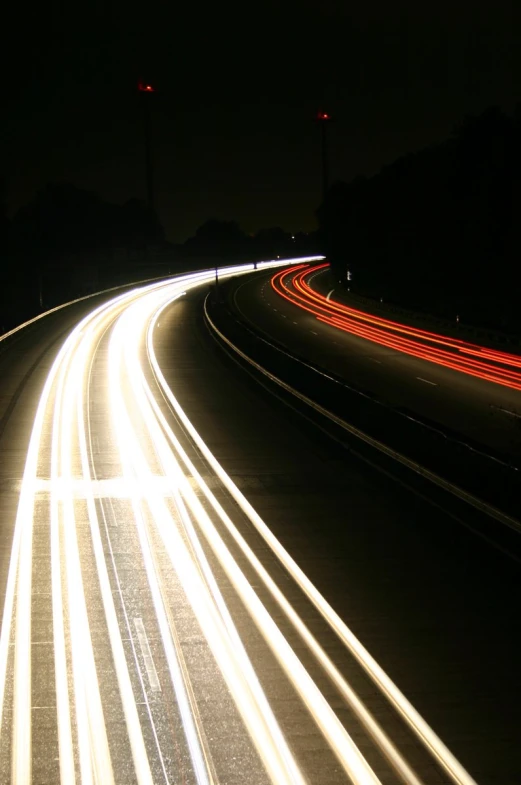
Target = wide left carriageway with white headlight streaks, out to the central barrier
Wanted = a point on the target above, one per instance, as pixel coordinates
(182, 596)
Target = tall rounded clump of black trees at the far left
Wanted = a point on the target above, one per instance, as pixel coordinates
(66, 243)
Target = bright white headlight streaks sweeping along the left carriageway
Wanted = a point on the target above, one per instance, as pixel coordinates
(174, 534)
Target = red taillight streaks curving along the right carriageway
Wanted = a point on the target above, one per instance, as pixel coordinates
(488, 364)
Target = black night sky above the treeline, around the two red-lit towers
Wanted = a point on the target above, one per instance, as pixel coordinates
(238, 88)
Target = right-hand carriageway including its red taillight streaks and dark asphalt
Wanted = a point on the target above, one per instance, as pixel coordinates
(484, 413)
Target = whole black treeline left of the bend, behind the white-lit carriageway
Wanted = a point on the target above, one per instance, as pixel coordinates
(68, 242)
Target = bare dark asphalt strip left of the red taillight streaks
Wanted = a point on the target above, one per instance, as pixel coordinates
(486, 414)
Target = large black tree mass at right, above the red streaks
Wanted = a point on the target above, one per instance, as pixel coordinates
(438, 230)
